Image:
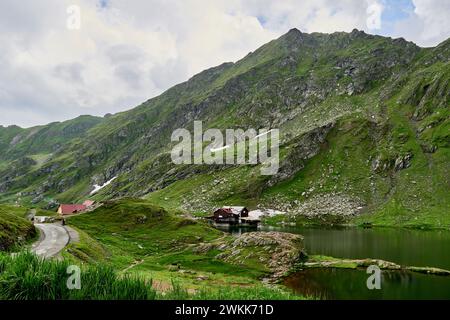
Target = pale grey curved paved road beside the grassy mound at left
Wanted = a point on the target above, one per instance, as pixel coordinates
(54, 238)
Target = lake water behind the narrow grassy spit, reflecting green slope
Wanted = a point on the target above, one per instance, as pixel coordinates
(406, 247)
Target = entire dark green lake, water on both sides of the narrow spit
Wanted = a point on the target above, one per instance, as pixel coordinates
(403, 246)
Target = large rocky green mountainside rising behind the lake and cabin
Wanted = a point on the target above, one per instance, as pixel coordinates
(360, 116)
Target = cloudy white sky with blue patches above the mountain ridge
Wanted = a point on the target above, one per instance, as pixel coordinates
(63, 58)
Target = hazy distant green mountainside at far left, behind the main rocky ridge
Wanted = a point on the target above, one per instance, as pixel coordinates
(30, 150)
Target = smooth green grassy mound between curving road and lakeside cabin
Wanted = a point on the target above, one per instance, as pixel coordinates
(132, 228)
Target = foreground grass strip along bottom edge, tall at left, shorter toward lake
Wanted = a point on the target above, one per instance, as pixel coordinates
(26, 277)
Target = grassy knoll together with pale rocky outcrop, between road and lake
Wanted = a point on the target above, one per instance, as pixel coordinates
(138, 238)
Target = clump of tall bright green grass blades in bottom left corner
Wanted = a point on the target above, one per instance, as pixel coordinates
(27, 277)
